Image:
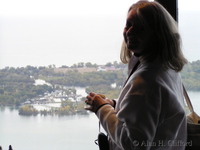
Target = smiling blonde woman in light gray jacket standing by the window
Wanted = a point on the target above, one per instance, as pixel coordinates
(149, 112)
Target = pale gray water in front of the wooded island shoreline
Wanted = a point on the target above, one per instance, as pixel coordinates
(76, 132)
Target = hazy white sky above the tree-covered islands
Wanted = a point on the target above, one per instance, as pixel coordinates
(65, 32)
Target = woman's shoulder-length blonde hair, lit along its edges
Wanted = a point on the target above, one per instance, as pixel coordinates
(167, 45)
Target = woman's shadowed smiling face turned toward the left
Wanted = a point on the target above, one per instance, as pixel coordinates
(135, 35)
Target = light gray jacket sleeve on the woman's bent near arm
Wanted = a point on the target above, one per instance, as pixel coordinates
(136, 122)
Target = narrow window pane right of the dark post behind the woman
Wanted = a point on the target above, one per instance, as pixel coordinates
(189, 23)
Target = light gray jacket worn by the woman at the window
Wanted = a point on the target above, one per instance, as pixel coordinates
(149, 112)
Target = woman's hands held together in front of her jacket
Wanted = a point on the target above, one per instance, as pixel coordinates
(96, 101)
